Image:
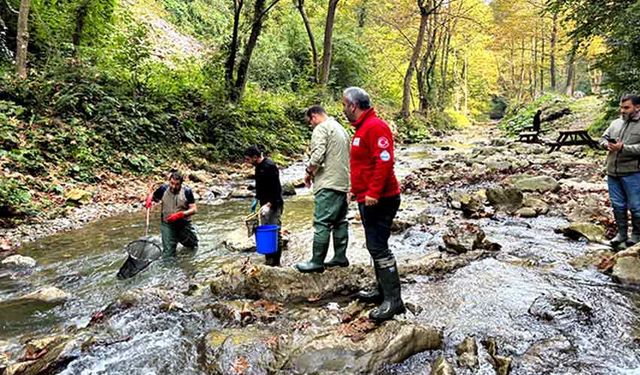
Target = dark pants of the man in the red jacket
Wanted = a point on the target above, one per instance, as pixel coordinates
(377, 222)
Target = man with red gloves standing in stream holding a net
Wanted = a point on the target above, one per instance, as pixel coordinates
(178, 205)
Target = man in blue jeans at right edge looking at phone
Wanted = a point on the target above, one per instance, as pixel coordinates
(622, 140)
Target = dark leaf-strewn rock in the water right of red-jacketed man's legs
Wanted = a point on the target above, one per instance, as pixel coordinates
(466, 237)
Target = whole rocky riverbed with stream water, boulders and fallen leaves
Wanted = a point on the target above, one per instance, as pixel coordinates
(503, 260)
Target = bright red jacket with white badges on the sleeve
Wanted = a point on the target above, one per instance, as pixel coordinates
(372, 159)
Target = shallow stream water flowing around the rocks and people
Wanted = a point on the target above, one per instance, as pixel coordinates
(545, 308)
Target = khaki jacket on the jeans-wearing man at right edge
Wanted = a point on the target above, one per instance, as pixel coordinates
(627, 160)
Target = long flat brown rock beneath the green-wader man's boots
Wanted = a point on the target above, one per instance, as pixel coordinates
(244, 279)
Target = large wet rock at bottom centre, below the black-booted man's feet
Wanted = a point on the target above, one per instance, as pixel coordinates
(332, 352)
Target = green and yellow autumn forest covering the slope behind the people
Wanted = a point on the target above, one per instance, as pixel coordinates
(133, 85)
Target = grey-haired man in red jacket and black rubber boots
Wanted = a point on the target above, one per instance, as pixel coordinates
(375, 187)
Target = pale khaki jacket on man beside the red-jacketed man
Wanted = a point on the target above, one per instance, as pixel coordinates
(330, 147)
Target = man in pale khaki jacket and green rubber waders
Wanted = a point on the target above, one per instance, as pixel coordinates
(328, 169)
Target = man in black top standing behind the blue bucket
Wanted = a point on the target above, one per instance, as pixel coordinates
(269, 196)
